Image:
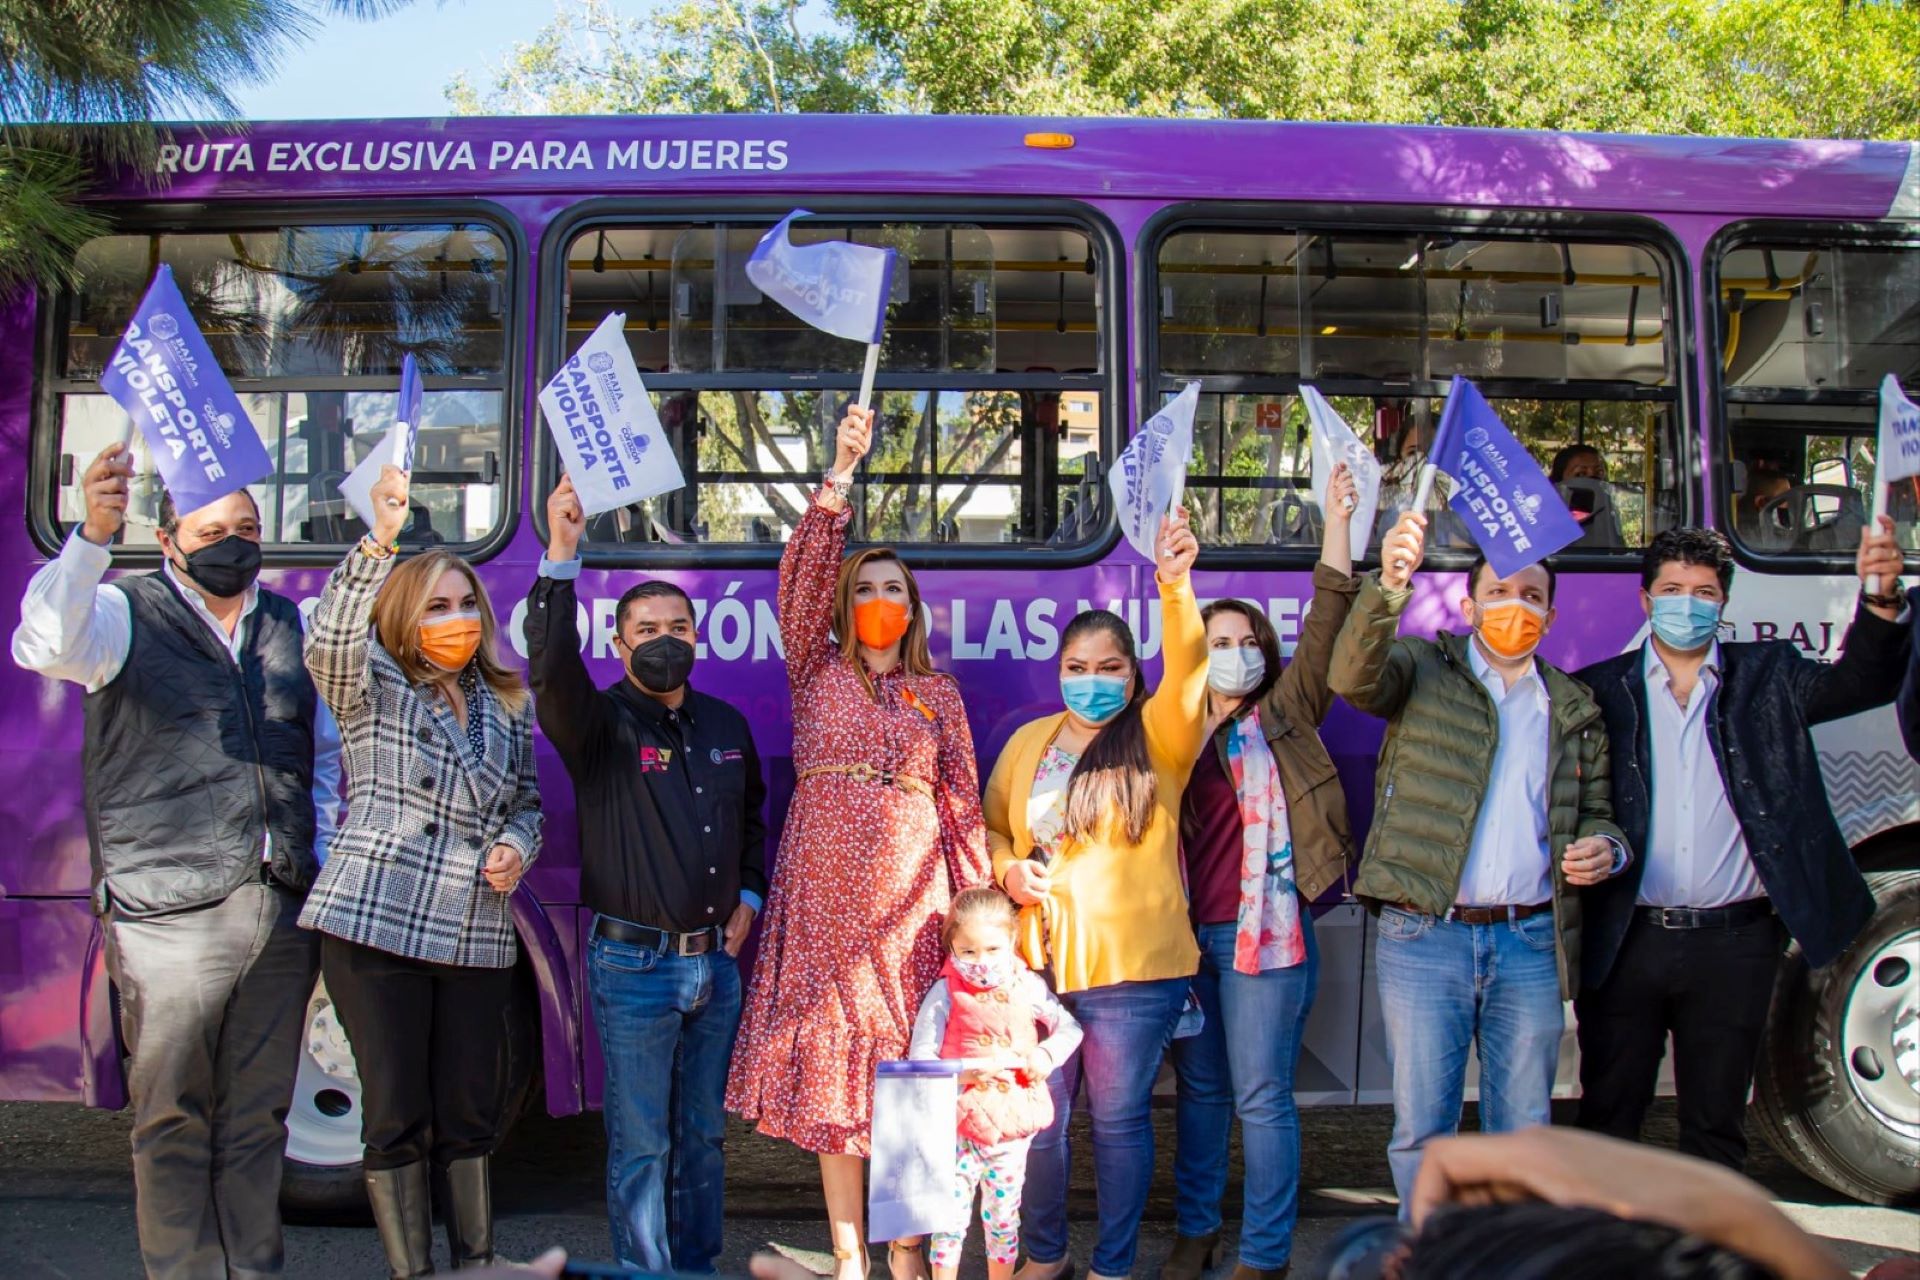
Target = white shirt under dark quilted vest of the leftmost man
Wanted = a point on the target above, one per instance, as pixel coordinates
(72, 627)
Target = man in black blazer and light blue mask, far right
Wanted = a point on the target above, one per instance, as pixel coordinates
(1719, 790)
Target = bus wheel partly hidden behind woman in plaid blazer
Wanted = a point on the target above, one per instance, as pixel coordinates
(322, 1175)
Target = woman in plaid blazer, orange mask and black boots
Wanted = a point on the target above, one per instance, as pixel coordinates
(418, 939)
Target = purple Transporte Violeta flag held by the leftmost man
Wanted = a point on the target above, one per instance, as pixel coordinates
(166, 379)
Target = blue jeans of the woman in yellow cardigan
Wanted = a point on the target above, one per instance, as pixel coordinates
(1128, 1028)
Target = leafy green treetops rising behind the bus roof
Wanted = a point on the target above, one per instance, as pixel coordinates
(1739, 68)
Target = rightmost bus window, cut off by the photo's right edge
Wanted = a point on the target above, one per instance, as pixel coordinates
(1808, 333)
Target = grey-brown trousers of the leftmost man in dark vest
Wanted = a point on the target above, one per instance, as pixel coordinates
(212, 1008)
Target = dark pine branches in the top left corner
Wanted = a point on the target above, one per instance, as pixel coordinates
(103, 72)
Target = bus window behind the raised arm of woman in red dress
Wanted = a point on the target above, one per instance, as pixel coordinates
(992, 398)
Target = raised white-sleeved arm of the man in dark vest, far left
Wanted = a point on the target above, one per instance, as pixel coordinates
(70, 625)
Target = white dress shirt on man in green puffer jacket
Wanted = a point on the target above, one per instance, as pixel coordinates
(1508, 863)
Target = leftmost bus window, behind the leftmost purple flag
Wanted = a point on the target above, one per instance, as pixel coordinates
(312, 325)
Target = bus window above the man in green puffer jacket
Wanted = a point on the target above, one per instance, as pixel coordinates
(1568, 339)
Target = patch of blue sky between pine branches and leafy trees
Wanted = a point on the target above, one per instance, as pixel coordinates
(396, 66)
